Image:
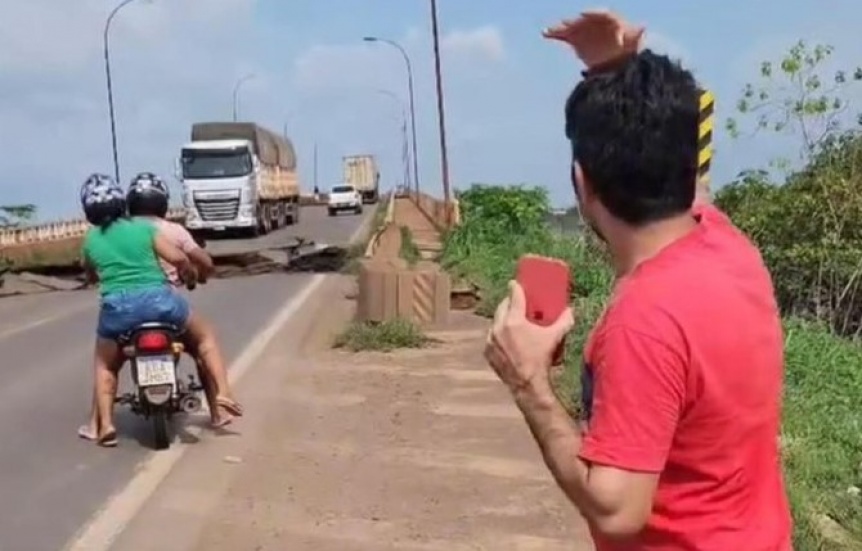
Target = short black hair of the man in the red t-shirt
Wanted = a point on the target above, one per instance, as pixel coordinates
(634, 133)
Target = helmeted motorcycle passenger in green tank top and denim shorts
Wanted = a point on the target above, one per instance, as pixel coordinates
(123, 254)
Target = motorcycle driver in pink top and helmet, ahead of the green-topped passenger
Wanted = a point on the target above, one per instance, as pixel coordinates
(147, 198)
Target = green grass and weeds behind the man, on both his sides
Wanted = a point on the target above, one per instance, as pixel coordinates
(822, 417)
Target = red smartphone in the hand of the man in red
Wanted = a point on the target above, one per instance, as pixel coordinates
(547, 286)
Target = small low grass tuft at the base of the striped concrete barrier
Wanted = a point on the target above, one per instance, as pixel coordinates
(381, 337)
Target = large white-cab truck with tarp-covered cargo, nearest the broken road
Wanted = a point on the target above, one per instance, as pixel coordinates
(238, 177)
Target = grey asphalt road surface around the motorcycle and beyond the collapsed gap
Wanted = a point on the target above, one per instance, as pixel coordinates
(50, 481)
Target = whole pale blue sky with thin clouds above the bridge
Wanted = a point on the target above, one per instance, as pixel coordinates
(176, 62)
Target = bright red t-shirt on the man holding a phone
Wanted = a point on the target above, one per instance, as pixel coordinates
(683, 377)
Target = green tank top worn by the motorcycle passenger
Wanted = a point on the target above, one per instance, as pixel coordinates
(123, 256)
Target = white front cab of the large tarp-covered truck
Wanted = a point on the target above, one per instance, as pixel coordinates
(219, 184)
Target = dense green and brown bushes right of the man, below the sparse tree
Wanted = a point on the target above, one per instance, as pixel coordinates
(809, 231)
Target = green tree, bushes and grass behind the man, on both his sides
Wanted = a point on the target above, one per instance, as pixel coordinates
(807, 222)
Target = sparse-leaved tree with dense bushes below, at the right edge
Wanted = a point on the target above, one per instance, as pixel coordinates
(809, 229)
